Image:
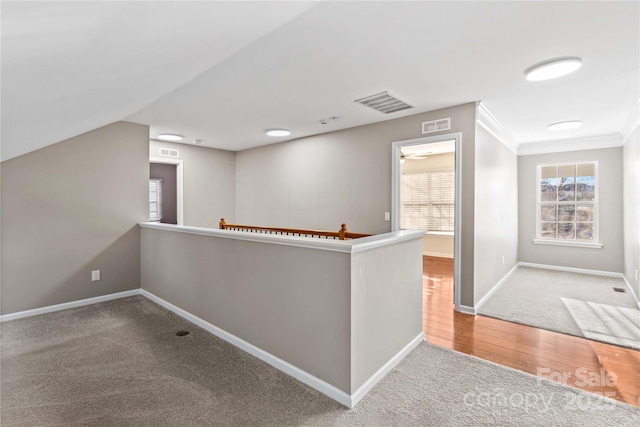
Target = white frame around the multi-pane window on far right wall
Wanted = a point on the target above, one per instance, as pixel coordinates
(595, 242)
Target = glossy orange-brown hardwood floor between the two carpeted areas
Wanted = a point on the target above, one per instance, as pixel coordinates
(592, 366)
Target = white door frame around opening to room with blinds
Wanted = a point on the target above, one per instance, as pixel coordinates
(395, 196)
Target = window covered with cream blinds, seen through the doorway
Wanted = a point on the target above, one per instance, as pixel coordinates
(427, 201)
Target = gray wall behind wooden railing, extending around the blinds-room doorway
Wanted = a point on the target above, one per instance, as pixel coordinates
(321, 181)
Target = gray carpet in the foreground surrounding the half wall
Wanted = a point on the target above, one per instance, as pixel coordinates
(120, 363)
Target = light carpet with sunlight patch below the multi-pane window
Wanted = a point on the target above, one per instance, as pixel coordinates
(577, 304)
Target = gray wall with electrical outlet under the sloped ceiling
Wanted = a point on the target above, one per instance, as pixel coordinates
(71, 208)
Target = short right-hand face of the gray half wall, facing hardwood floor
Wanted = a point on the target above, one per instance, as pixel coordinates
(386, 305)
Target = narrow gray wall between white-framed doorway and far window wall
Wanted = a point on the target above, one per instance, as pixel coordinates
(496, 204)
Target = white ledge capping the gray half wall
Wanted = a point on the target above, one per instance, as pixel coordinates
(334, 245)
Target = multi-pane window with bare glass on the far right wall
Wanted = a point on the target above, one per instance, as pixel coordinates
(567, 208)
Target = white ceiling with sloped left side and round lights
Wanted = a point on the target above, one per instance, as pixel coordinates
(224, 72)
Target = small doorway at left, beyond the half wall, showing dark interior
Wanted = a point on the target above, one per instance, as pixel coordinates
(166, 174)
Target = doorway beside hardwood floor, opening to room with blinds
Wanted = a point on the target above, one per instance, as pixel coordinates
(435, 214)
